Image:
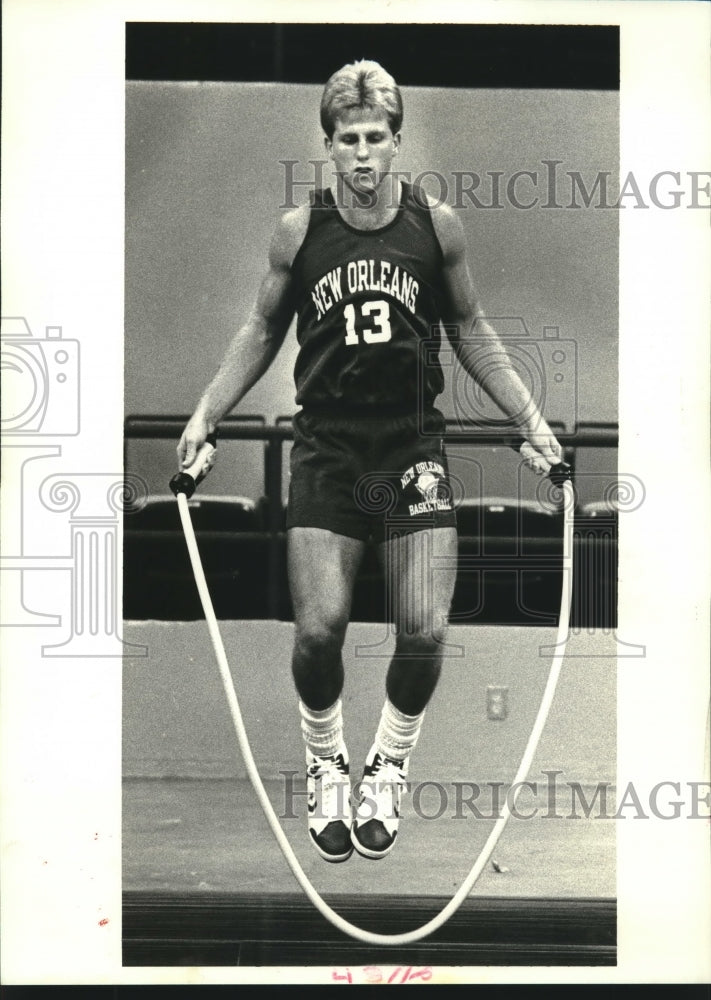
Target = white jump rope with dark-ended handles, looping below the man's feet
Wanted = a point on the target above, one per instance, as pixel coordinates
(183, 486)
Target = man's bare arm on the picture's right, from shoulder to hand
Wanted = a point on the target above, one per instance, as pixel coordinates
(480, 350)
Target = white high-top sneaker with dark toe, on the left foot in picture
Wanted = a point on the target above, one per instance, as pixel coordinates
(329, 807)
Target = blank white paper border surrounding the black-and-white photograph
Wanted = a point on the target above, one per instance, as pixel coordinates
(63, 263)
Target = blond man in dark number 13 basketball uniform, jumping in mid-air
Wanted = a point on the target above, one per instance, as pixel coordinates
(371, 268)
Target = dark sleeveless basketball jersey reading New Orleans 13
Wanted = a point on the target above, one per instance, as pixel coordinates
(366, 301)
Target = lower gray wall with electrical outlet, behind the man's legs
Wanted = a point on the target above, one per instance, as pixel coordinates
(176, 721)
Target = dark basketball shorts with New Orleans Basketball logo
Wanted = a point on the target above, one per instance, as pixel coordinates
(369, 478)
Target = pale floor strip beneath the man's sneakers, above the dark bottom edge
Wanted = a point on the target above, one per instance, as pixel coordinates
(197, 835)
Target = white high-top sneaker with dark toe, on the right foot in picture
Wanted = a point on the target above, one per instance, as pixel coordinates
(378, 812)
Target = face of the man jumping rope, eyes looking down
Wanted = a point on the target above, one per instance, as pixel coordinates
(362, 149)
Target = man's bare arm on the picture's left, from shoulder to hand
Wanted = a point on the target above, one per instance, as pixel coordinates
(256, 343)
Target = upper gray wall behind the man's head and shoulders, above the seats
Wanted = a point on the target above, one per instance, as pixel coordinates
(204, 187)
